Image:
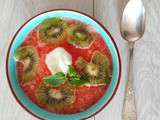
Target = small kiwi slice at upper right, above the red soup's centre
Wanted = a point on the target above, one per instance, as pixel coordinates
(79, 36)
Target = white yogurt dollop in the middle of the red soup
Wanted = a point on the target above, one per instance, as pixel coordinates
(58, 60)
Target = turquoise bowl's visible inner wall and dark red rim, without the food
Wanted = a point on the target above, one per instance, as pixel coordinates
(18, 92)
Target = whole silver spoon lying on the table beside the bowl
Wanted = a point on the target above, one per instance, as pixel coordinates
(132, 29)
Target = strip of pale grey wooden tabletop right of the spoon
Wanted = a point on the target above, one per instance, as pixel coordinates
(147, 65)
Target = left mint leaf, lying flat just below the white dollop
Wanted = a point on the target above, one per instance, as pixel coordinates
(56, 80)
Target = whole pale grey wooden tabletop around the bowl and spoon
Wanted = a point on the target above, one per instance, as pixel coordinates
(13, 13)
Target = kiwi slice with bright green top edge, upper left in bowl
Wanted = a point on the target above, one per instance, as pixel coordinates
(52, 30)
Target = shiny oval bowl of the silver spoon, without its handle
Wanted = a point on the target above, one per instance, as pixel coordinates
(133, 21)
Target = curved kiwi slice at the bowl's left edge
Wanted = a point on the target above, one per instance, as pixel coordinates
(28, 56)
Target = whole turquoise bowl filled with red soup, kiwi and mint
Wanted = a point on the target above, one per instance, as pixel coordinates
(63, 65)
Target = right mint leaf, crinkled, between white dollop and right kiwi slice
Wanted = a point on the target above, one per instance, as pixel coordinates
(73, 77)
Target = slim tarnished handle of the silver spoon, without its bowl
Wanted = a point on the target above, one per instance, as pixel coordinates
(129, 108)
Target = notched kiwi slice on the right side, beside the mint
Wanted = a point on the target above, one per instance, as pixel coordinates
(97, 71)
